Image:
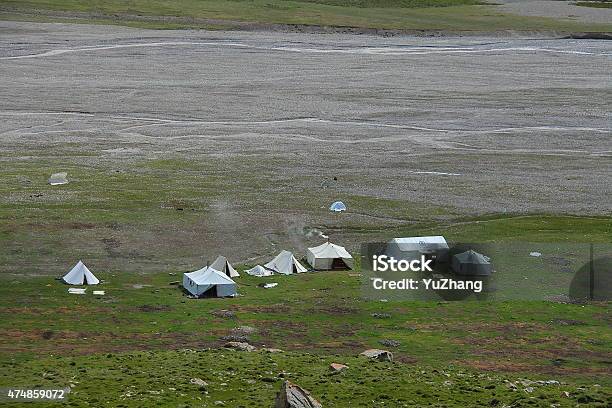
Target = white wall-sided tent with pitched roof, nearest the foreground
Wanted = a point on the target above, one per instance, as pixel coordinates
(209, 282)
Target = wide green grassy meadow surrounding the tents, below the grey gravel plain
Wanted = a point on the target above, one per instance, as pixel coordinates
(141, 223)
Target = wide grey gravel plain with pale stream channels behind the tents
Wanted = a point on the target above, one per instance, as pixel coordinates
(474, 125)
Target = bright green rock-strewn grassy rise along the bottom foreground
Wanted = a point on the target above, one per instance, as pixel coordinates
(243, 379)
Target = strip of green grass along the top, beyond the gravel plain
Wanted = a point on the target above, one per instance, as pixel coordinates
(451, 15)
